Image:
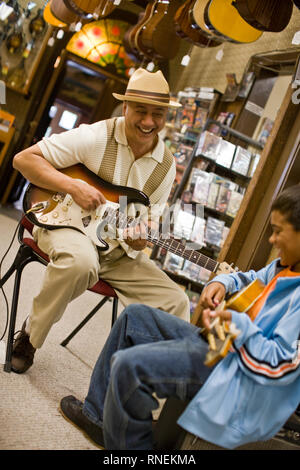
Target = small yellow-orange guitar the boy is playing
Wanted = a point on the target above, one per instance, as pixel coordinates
(222, 334)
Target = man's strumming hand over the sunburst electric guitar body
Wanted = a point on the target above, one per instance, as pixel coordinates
(86, 196)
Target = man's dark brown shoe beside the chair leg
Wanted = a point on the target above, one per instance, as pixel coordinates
(23, 352)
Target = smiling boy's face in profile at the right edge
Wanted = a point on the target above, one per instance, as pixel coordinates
(286, 240)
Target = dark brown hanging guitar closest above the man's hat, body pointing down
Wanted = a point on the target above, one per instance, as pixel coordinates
(158, 36)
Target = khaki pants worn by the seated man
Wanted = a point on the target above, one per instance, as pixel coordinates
(75, 266)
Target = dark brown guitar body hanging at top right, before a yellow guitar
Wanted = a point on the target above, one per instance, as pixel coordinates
(265, 15)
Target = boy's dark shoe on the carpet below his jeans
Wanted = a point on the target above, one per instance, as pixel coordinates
(71, 409)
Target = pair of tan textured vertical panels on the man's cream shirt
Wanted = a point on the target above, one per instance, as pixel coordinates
(107, 167)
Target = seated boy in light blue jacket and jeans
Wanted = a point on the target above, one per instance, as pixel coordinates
(247, 396)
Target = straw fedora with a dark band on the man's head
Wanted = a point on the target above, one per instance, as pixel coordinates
(148, 87)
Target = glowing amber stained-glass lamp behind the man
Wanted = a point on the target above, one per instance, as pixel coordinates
(100, 42)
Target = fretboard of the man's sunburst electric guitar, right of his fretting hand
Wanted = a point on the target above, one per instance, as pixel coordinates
(180, 249)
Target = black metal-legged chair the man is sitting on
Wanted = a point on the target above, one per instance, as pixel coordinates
(28, 252)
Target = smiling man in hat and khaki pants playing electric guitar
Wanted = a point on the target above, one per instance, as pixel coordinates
(126, 151)
